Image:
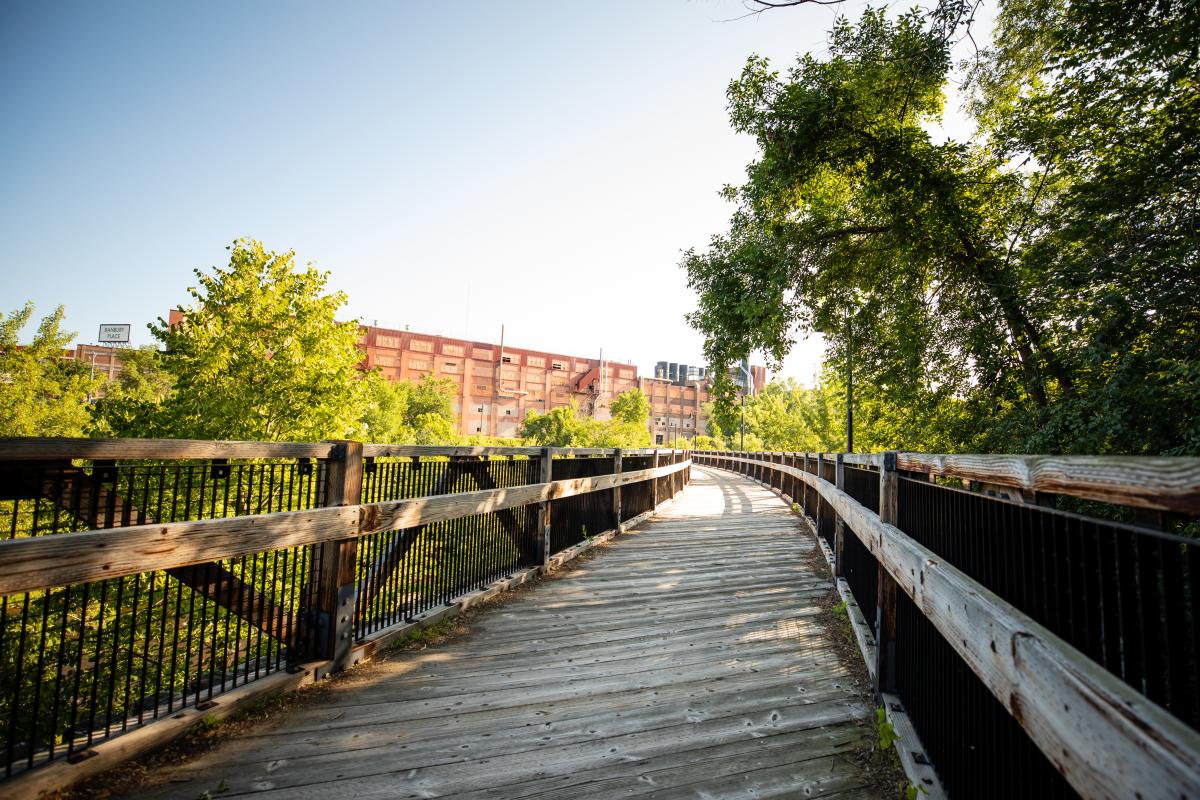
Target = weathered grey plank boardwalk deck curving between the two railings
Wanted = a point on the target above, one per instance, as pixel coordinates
(685, 661)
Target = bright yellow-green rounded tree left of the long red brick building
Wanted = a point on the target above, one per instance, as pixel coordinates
(260, 354)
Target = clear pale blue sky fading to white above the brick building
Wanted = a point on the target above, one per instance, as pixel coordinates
(548, 160)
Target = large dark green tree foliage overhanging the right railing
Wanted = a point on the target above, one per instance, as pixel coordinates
(1031, 290)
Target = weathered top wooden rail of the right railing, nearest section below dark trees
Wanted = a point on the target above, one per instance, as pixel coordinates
(1149, 483)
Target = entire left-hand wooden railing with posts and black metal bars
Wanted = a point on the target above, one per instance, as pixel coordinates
(163, 580)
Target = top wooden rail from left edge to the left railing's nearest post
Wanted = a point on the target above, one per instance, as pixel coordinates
(63, 448)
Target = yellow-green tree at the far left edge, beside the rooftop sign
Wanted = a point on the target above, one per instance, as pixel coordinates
(41, 393)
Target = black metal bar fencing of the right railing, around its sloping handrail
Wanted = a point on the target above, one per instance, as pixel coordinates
(1123, 596)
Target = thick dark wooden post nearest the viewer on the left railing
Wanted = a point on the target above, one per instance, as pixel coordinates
(337, 588)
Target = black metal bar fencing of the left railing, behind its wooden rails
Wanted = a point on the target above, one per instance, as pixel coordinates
(82, 664)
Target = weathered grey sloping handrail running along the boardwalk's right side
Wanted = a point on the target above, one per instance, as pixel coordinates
(1107, 738)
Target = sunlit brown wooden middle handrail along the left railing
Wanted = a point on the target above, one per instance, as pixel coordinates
(62, 560)
